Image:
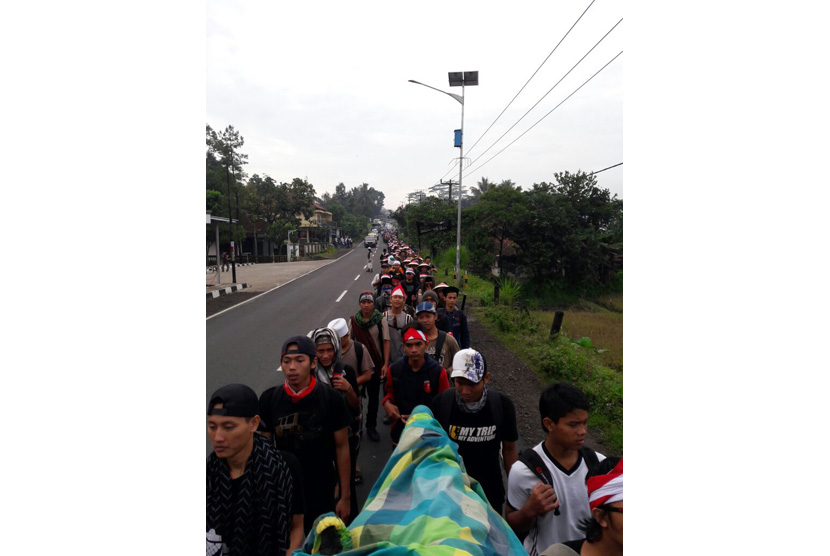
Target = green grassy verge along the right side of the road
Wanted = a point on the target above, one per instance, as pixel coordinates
(561, 358)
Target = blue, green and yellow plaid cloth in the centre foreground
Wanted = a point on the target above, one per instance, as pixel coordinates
(422, 503)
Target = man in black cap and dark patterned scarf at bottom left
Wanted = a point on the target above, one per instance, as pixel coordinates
(251, 495)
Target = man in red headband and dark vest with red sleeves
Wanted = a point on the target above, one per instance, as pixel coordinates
(414, 380)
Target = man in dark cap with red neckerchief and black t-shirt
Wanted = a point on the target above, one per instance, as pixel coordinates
(311, 420)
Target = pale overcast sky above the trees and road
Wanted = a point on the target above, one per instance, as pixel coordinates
(320, 90)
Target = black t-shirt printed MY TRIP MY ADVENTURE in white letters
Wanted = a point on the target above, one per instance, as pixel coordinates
(479, 440)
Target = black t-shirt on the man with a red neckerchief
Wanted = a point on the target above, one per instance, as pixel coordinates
(306, 429)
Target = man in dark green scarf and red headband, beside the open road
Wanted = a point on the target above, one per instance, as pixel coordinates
(370, 328)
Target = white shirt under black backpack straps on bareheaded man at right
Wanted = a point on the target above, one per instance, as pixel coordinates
(571, 491)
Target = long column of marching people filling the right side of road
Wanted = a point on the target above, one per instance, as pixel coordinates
(283, 458)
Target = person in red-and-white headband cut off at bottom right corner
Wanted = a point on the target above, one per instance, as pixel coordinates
(603, 530)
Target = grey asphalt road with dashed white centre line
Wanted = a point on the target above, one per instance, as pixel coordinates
(243, 342)
